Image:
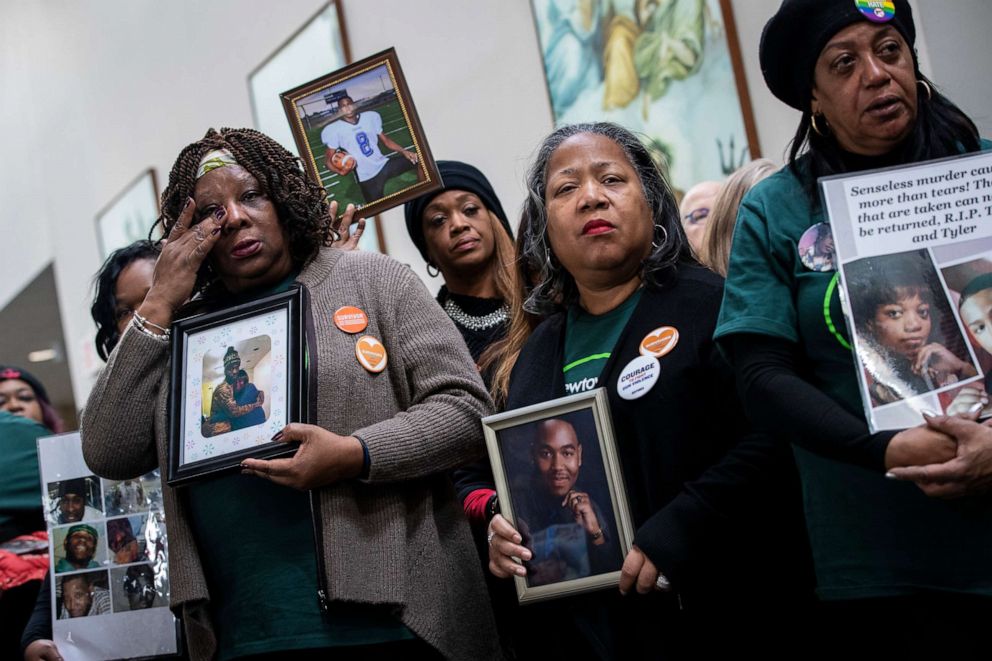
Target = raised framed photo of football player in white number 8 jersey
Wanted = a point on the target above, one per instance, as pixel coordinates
(358, 133)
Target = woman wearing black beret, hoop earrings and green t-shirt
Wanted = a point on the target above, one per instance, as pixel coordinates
(902, 573)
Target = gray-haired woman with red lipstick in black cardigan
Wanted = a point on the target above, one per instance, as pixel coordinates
(714, 542)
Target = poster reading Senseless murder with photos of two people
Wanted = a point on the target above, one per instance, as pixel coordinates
(914, 250)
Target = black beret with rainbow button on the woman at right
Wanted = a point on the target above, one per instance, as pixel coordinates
(794, 37)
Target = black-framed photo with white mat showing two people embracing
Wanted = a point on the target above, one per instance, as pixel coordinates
(238, 377)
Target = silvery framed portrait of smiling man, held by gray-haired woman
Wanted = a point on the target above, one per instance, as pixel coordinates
(560, 485)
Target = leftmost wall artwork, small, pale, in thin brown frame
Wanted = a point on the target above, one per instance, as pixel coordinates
(130, 216)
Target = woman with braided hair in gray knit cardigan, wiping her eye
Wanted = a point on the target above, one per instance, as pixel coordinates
(392, 573)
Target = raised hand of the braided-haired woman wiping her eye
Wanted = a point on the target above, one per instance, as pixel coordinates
(183, 251)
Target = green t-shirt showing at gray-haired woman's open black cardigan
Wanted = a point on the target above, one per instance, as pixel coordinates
(589, 340)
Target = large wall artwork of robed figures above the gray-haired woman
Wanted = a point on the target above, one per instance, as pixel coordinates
(671, 71)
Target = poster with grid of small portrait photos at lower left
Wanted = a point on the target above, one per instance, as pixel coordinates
(108, 558)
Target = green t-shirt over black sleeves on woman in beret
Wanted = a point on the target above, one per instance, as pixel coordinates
(870, 536)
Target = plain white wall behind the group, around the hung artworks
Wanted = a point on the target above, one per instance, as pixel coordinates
(91, 93)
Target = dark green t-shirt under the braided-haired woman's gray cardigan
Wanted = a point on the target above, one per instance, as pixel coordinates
(256, 543)
